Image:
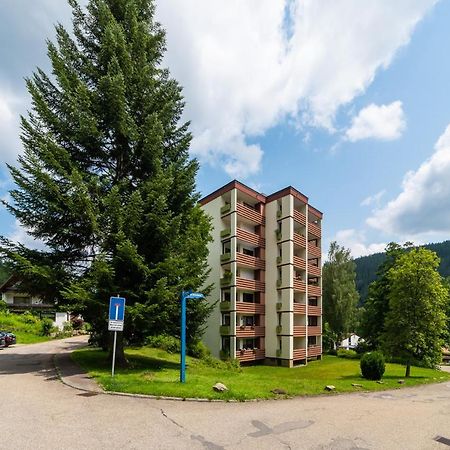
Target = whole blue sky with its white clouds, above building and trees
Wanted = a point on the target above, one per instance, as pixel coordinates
(347, 102)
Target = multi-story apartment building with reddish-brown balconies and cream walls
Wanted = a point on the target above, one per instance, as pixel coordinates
(265, 261)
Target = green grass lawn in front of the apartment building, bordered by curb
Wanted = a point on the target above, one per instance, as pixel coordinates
(153, 371)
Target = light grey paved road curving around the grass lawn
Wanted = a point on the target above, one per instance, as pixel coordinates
(39, 412)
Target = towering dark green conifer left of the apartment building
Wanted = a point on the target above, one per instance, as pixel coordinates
(105, 179)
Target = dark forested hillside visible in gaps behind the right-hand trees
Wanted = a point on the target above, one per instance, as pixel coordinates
(367, 266)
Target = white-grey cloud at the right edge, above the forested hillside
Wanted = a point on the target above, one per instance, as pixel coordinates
(423, 206)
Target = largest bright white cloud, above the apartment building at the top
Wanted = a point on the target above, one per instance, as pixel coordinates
(243, 73)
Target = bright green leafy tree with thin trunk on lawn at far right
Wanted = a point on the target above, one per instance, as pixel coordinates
(416, 320)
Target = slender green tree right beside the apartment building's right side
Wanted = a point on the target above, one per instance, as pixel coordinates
(339, 293)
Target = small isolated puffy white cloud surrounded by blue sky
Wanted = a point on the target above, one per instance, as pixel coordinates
(384, 122)
